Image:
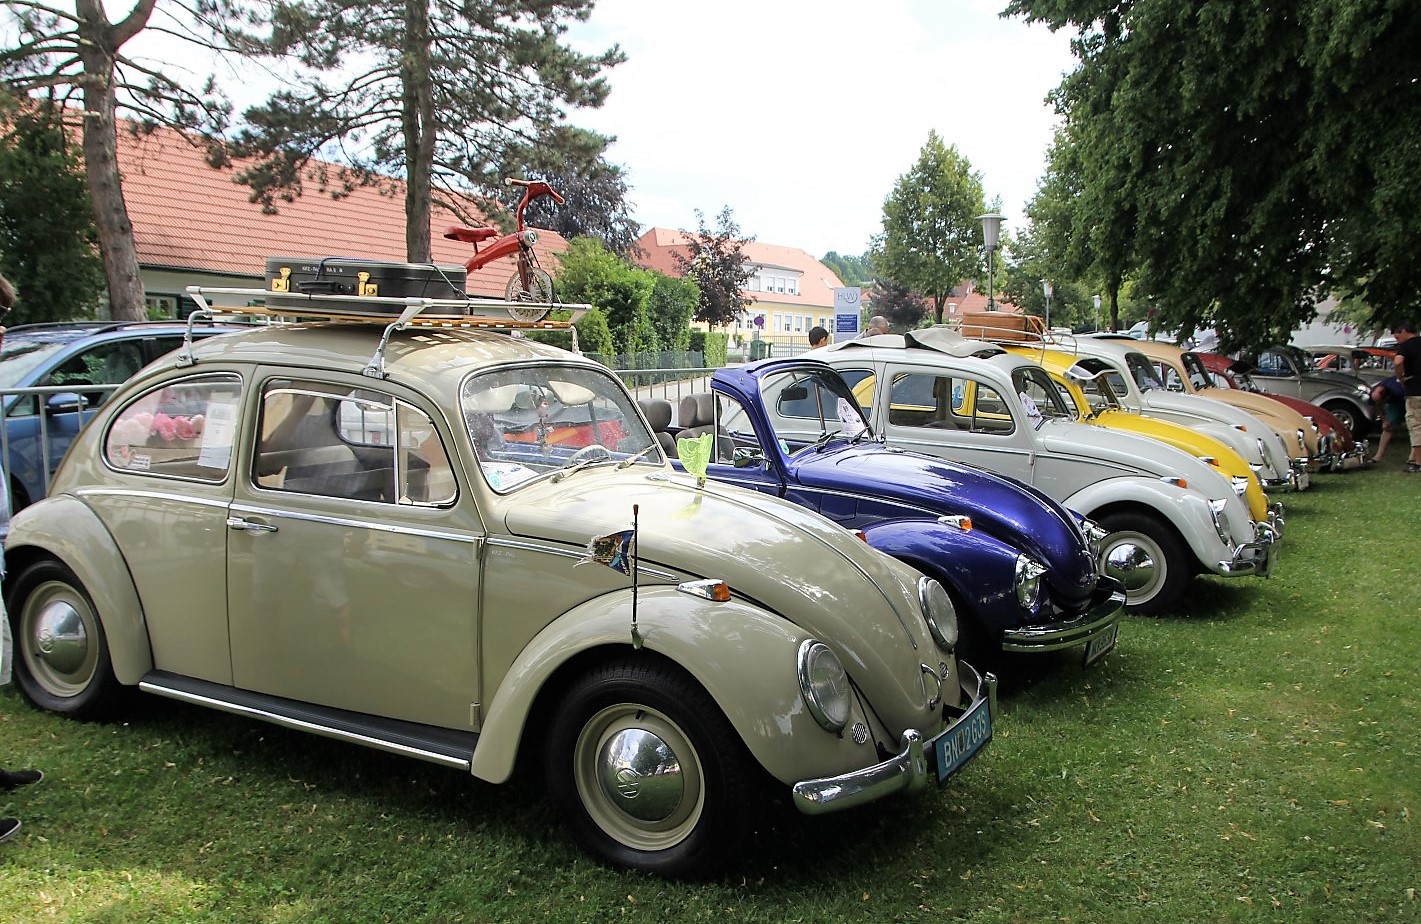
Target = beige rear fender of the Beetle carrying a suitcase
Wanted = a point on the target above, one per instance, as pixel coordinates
(73, 535)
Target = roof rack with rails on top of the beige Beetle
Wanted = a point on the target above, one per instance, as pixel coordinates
(413, 312)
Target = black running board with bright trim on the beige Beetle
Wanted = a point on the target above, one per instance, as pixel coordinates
(411, 740)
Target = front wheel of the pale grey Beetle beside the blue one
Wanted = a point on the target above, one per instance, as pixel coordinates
(1147, 557)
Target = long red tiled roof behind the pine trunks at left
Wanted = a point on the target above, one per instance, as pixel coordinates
(191, 217)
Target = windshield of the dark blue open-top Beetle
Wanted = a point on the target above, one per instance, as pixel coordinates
(812, 407)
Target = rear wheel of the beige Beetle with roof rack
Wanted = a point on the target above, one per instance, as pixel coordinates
(62, 659)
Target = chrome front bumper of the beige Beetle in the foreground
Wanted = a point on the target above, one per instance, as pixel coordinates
(912, 768)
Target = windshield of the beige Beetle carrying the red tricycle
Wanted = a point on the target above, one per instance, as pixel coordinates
(542, 420)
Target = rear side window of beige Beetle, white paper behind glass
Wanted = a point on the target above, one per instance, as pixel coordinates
(181, 430)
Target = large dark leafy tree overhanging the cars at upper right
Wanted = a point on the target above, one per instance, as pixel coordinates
(1255, 156)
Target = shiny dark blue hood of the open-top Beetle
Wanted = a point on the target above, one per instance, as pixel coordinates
(1008, 510)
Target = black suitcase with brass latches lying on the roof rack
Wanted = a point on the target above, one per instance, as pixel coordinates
(356, 281)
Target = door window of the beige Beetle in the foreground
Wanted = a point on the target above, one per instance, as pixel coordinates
(349, 443)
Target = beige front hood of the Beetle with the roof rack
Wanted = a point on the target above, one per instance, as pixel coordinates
(779, 555)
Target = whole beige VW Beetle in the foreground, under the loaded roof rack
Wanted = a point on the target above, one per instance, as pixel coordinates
(470, 544)
